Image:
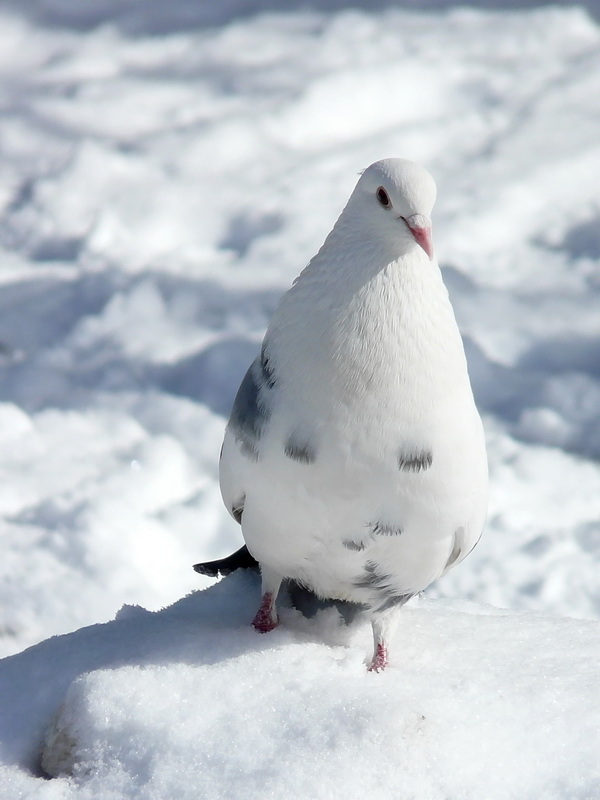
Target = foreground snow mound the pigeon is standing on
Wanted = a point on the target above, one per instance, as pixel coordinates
(191, 702)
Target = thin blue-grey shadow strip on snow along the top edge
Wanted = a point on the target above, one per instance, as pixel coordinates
(155, 17)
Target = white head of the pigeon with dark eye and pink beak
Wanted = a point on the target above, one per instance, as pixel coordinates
(395, 198)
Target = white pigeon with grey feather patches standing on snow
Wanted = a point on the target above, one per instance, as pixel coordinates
(354, 457)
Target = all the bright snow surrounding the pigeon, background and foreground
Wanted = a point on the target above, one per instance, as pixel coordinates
(165, 172)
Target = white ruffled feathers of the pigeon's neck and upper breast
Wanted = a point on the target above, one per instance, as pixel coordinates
(366, 317)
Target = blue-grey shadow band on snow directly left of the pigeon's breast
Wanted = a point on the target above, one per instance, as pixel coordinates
(45, 361)
